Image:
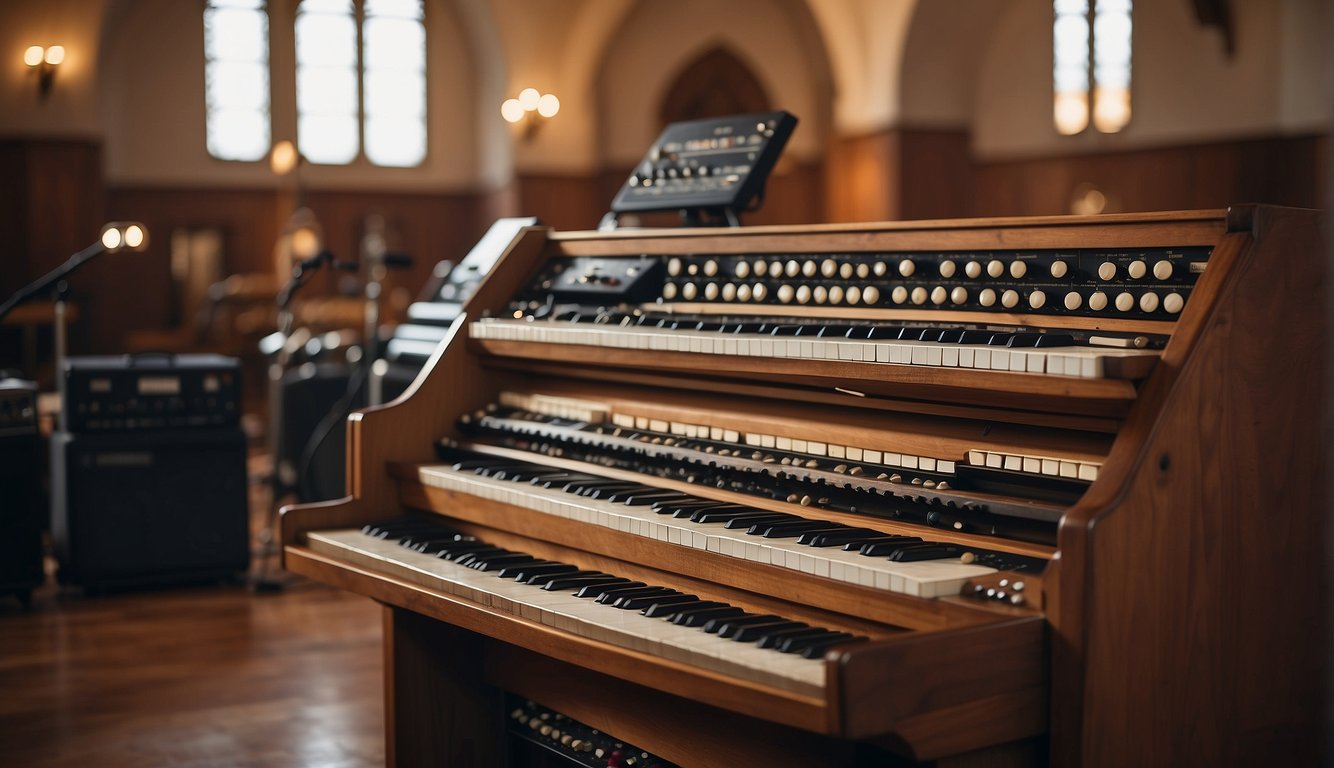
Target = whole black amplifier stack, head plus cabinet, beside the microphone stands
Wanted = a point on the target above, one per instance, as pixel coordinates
(149, 477)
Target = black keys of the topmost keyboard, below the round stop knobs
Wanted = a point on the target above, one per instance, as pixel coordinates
(857, 333)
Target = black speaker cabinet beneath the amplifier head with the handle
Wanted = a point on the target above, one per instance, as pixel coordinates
(143, 509)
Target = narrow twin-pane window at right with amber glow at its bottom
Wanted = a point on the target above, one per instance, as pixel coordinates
(1092, 58)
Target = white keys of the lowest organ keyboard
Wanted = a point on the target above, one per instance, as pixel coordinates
(582, 617)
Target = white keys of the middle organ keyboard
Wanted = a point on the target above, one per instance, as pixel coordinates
(926, 579)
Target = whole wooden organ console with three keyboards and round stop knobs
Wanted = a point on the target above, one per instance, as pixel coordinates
(1004, 491)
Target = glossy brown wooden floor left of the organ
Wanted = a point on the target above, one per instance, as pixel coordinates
(191, 678)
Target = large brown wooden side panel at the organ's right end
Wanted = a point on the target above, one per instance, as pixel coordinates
(1199, 591)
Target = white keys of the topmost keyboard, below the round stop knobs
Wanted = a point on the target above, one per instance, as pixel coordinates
(1081, 362)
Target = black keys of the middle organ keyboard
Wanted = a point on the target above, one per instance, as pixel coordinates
(734, 517)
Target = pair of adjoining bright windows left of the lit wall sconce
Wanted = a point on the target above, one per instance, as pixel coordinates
(361, 82)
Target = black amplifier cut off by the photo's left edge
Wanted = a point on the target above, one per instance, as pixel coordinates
(22, 519)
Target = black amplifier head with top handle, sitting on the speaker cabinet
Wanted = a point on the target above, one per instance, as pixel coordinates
(153, 391)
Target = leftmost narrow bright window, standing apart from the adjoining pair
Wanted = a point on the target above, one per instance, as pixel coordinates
(237, 79)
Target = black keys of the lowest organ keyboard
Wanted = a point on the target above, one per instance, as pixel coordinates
(713, 617)
